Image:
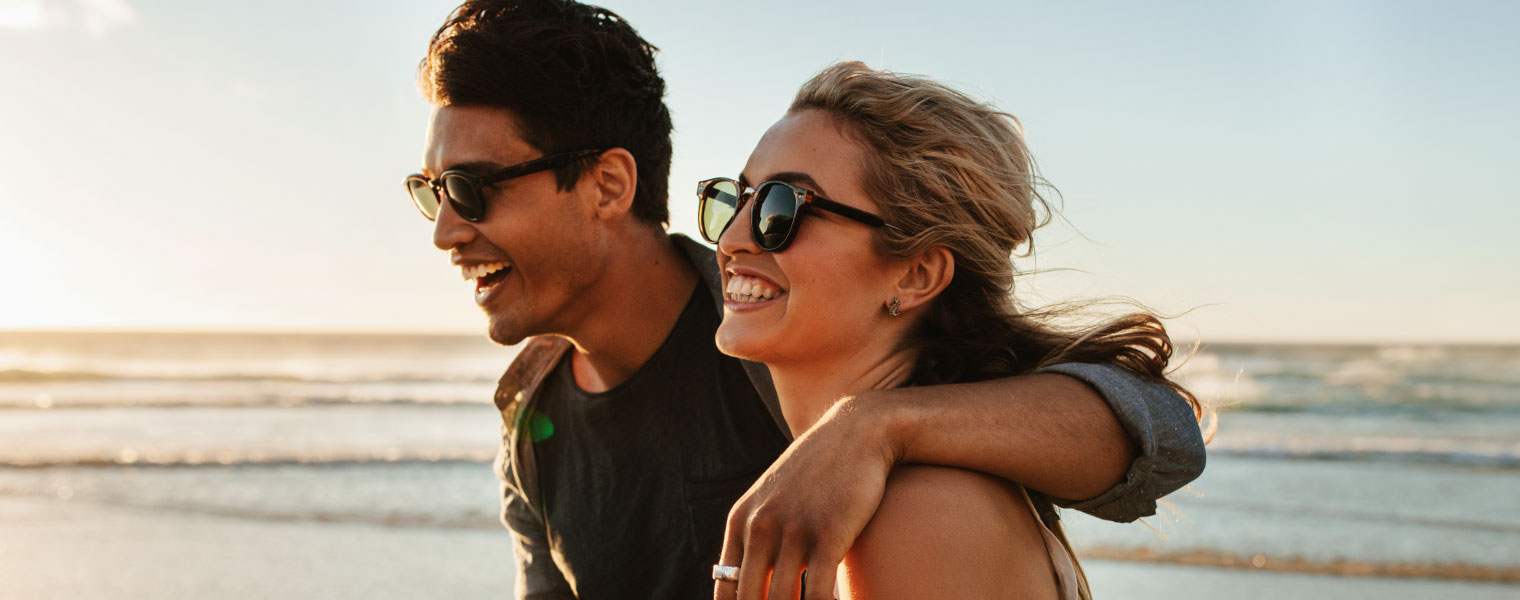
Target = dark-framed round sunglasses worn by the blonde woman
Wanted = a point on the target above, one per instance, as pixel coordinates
(777, 212)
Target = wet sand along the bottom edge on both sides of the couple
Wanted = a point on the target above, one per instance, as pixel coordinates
(72, 549)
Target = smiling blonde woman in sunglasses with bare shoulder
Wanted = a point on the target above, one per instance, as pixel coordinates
(914, 200)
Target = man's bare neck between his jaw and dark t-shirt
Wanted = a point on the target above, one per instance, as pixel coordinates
(639, 300)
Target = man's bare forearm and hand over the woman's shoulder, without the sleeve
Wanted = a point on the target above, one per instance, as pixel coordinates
(1048, 432)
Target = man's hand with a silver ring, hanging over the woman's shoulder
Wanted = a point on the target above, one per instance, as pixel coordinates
(808, 510)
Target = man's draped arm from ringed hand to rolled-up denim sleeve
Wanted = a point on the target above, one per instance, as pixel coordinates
(1051, 432)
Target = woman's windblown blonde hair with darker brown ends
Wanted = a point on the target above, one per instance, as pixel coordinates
(954, 172)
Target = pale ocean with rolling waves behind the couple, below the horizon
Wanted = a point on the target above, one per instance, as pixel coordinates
(341, 466)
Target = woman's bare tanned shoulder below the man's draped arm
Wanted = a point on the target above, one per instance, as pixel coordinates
(946, 532)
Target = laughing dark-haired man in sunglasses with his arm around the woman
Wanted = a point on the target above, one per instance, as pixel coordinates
(627, 437)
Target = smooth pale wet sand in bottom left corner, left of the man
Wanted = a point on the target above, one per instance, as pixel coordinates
(52, 549)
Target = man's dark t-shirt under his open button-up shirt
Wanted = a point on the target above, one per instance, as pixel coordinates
(638, 481)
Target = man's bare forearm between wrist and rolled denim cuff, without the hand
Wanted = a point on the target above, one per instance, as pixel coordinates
(1048, 432)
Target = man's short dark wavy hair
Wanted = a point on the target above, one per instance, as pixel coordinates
(577, 78)
